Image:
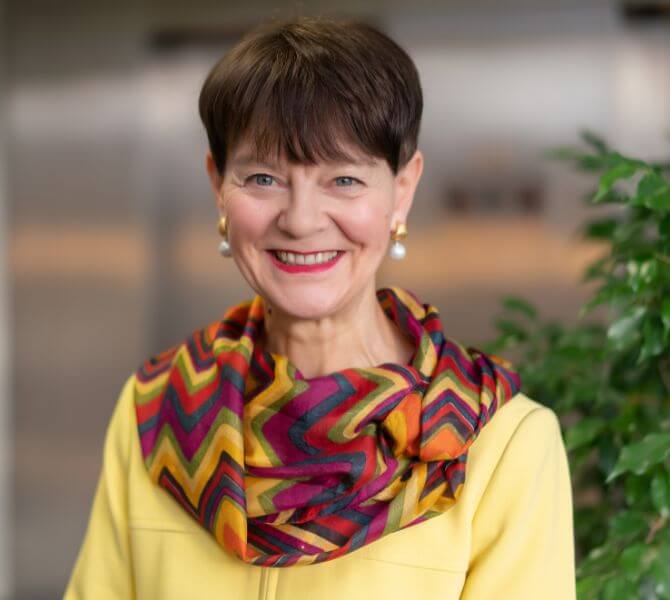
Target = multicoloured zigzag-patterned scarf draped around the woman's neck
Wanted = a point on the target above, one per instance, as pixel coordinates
(286, 470)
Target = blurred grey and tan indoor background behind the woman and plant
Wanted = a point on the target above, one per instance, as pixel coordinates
(108, 225)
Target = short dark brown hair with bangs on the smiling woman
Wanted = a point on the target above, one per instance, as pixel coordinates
(301, 86)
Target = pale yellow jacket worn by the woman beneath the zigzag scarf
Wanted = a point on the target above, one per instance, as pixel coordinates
(509, 535)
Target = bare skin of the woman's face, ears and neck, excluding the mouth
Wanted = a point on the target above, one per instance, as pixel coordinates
(328, 320)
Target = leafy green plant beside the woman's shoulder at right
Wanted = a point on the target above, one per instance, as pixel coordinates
(608, 380)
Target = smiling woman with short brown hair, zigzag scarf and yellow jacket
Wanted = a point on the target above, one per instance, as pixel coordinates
(324, 439)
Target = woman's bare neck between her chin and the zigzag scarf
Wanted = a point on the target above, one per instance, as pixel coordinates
(359, 335)
